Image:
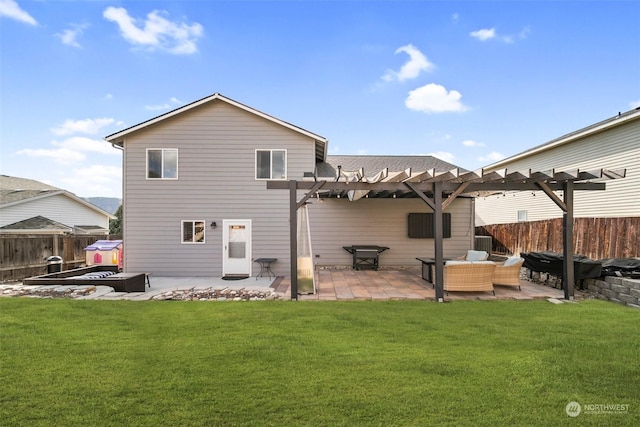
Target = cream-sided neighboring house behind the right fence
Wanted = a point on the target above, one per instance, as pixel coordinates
(614, 142)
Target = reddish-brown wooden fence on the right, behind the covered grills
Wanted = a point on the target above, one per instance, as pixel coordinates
(597, 238)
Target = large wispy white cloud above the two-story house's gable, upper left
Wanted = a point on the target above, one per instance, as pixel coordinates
(156, 32)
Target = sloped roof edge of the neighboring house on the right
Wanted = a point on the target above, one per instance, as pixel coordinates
(614, 121)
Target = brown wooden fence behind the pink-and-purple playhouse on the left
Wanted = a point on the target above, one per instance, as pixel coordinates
(25, 255)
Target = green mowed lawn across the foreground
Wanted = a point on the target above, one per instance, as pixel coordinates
(493, 363)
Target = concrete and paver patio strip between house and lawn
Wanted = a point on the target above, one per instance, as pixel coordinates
(338, 284)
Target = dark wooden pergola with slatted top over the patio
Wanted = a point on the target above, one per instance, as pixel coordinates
(438, 190)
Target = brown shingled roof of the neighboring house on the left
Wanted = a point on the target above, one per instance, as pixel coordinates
(14, 190)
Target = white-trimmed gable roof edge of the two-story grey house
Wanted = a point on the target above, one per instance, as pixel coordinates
(119, 137)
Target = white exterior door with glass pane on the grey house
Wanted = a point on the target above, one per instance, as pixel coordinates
(236, 250)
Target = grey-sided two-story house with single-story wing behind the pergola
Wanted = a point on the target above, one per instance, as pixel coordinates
(196, 202)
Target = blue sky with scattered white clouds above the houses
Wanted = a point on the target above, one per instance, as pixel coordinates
(470, 82)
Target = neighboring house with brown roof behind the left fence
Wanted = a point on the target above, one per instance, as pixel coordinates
(32, 207)
